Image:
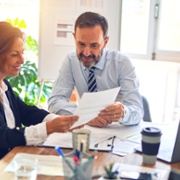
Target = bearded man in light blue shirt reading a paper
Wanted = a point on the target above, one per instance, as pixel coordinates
(112, 69)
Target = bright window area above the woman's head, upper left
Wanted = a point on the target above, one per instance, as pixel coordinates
(23, 10)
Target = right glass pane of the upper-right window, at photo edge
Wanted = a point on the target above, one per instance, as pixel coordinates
(168, 41)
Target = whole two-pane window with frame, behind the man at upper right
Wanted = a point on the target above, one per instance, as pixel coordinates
(150, 29)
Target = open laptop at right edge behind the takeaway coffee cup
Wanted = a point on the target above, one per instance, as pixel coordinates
(169, 150)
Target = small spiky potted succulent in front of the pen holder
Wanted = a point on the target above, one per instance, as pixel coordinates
(110, 173)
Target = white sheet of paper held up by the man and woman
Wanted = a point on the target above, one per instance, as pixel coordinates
(92, 103)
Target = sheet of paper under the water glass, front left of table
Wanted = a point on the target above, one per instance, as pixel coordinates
(47, 164)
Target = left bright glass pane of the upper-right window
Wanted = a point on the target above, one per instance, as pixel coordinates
(135, 26)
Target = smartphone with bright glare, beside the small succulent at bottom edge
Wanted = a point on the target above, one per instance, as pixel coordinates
(132, 175)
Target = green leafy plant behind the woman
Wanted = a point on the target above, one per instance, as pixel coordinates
(26, 84)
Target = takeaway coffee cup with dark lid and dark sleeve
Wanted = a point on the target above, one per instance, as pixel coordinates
(150, 144)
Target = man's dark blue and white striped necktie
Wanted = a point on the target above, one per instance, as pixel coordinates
(92, 86)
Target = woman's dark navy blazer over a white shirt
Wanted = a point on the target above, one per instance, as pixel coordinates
(24, 114)
